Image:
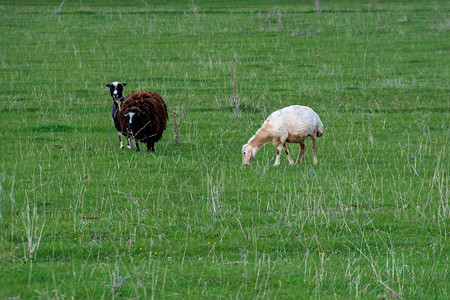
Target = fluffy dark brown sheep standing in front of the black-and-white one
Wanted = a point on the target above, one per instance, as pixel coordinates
(143, 117)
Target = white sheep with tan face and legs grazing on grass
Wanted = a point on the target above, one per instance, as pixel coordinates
(292, 124)
